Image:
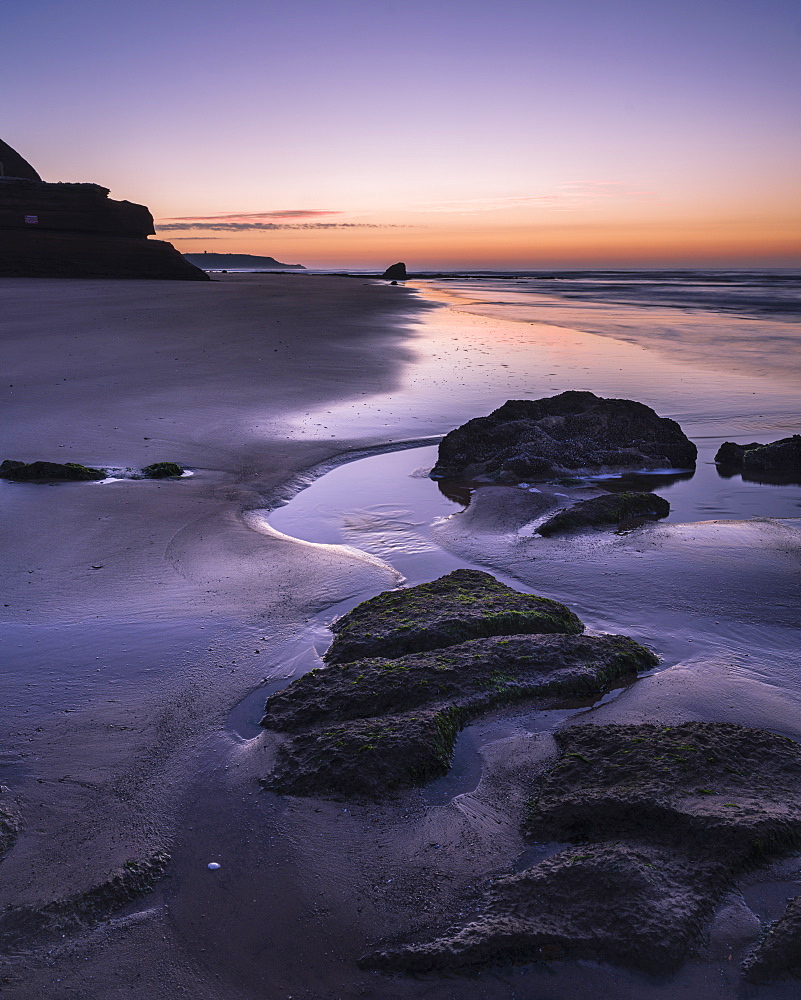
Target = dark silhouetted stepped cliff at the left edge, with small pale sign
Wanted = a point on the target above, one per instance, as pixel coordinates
(58, 230)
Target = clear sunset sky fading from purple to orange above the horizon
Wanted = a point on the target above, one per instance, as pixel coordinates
(445, 133)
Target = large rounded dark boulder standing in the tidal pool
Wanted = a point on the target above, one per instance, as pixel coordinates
(574, 433)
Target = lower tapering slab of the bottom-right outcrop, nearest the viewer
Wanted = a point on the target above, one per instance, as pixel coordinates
(633, 905)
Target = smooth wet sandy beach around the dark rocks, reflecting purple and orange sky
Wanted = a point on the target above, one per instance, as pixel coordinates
(141, 616)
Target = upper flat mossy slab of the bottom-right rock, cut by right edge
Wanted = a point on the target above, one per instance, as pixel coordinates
(693, 784)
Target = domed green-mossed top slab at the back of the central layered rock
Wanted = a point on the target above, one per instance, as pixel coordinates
(463, 605)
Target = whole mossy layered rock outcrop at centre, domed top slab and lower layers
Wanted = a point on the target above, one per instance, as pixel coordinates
(376, 723)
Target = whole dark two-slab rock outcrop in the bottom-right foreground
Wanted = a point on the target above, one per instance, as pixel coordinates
(666, 817)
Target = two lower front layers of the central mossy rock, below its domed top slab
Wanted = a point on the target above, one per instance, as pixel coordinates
(369, 727)
